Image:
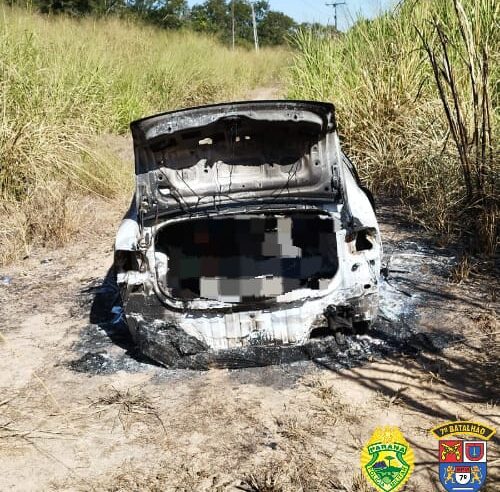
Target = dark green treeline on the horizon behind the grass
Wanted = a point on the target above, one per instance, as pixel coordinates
(213, 16)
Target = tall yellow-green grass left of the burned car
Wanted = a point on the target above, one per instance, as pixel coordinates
(64, 82)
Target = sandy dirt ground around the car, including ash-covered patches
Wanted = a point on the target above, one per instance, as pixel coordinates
(81, 410)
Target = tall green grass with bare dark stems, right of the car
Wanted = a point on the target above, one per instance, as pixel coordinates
(417, 93)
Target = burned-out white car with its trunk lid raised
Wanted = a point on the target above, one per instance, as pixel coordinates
(249, 235)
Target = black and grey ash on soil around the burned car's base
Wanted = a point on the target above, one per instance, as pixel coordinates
(414, 282)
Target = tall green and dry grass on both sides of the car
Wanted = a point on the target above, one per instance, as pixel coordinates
(66, 82)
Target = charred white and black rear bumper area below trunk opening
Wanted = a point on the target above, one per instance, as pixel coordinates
(236, 339)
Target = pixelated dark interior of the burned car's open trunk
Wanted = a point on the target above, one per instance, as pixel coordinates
(246, 257)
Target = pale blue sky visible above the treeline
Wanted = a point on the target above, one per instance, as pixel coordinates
(317, 11)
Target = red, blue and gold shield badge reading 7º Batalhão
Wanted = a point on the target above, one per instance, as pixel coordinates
(462, 461)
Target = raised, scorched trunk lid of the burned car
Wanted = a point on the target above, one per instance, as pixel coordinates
(236, 153)
